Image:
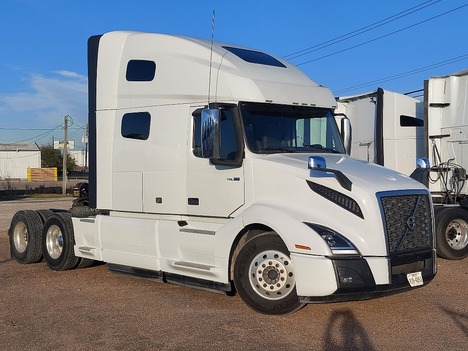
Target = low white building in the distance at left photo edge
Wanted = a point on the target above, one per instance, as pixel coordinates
(16, 158)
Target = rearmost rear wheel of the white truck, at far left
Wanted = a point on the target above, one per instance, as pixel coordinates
(25, 237)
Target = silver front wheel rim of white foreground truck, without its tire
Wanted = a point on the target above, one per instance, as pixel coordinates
(272, 275)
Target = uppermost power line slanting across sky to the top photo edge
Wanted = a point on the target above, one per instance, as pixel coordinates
(360, 31)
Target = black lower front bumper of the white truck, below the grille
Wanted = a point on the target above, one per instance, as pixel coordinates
(355, 278)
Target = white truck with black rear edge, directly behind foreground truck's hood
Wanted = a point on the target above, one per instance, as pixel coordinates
(387, 128)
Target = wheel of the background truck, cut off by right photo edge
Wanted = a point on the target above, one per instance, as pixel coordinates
(452, 233)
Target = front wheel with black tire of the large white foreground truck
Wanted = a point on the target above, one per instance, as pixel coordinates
(264, 275)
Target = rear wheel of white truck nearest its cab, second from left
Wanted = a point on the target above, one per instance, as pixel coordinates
(58, 242)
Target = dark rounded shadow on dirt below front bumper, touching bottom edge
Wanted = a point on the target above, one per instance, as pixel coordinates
(344, 332)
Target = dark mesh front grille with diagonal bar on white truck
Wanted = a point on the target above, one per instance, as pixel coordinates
(408, 222)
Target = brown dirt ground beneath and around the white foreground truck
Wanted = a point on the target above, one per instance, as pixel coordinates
(93, 309)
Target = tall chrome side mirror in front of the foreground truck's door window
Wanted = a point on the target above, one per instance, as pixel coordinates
(210, 133)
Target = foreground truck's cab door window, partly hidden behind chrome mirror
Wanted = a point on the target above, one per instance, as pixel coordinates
(229, 148)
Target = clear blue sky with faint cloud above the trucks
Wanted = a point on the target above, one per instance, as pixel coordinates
(352, 46)
